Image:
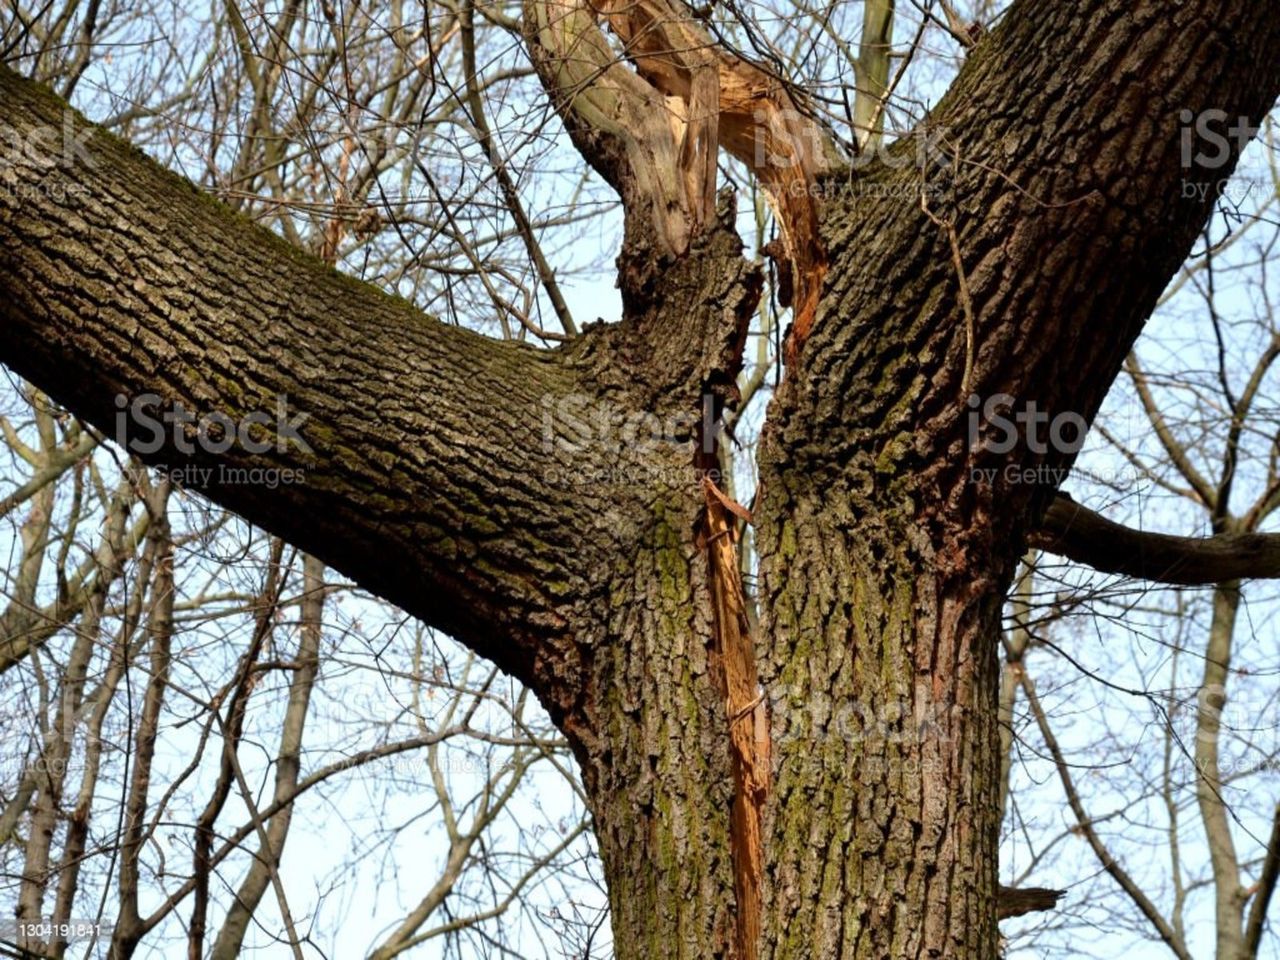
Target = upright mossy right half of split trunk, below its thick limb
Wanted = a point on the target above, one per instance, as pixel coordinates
(881, 664)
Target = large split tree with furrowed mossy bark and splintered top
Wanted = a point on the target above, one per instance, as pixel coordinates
(733, 817)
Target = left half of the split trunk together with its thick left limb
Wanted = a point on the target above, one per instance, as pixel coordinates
(465, 479)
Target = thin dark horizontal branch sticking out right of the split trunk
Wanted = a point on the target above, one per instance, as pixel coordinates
(1085, 537)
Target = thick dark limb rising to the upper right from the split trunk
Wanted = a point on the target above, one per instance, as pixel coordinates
(1031, 228)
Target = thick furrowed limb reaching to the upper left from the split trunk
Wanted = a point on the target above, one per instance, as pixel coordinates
(436, 468)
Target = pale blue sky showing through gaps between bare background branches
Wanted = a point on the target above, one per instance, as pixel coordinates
(353, 904)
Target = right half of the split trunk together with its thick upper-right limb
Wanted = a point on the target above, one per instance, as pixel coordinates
(884, 552)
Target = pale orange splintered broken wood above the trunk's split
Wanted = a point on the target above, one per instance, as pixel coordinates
(710, 98)
